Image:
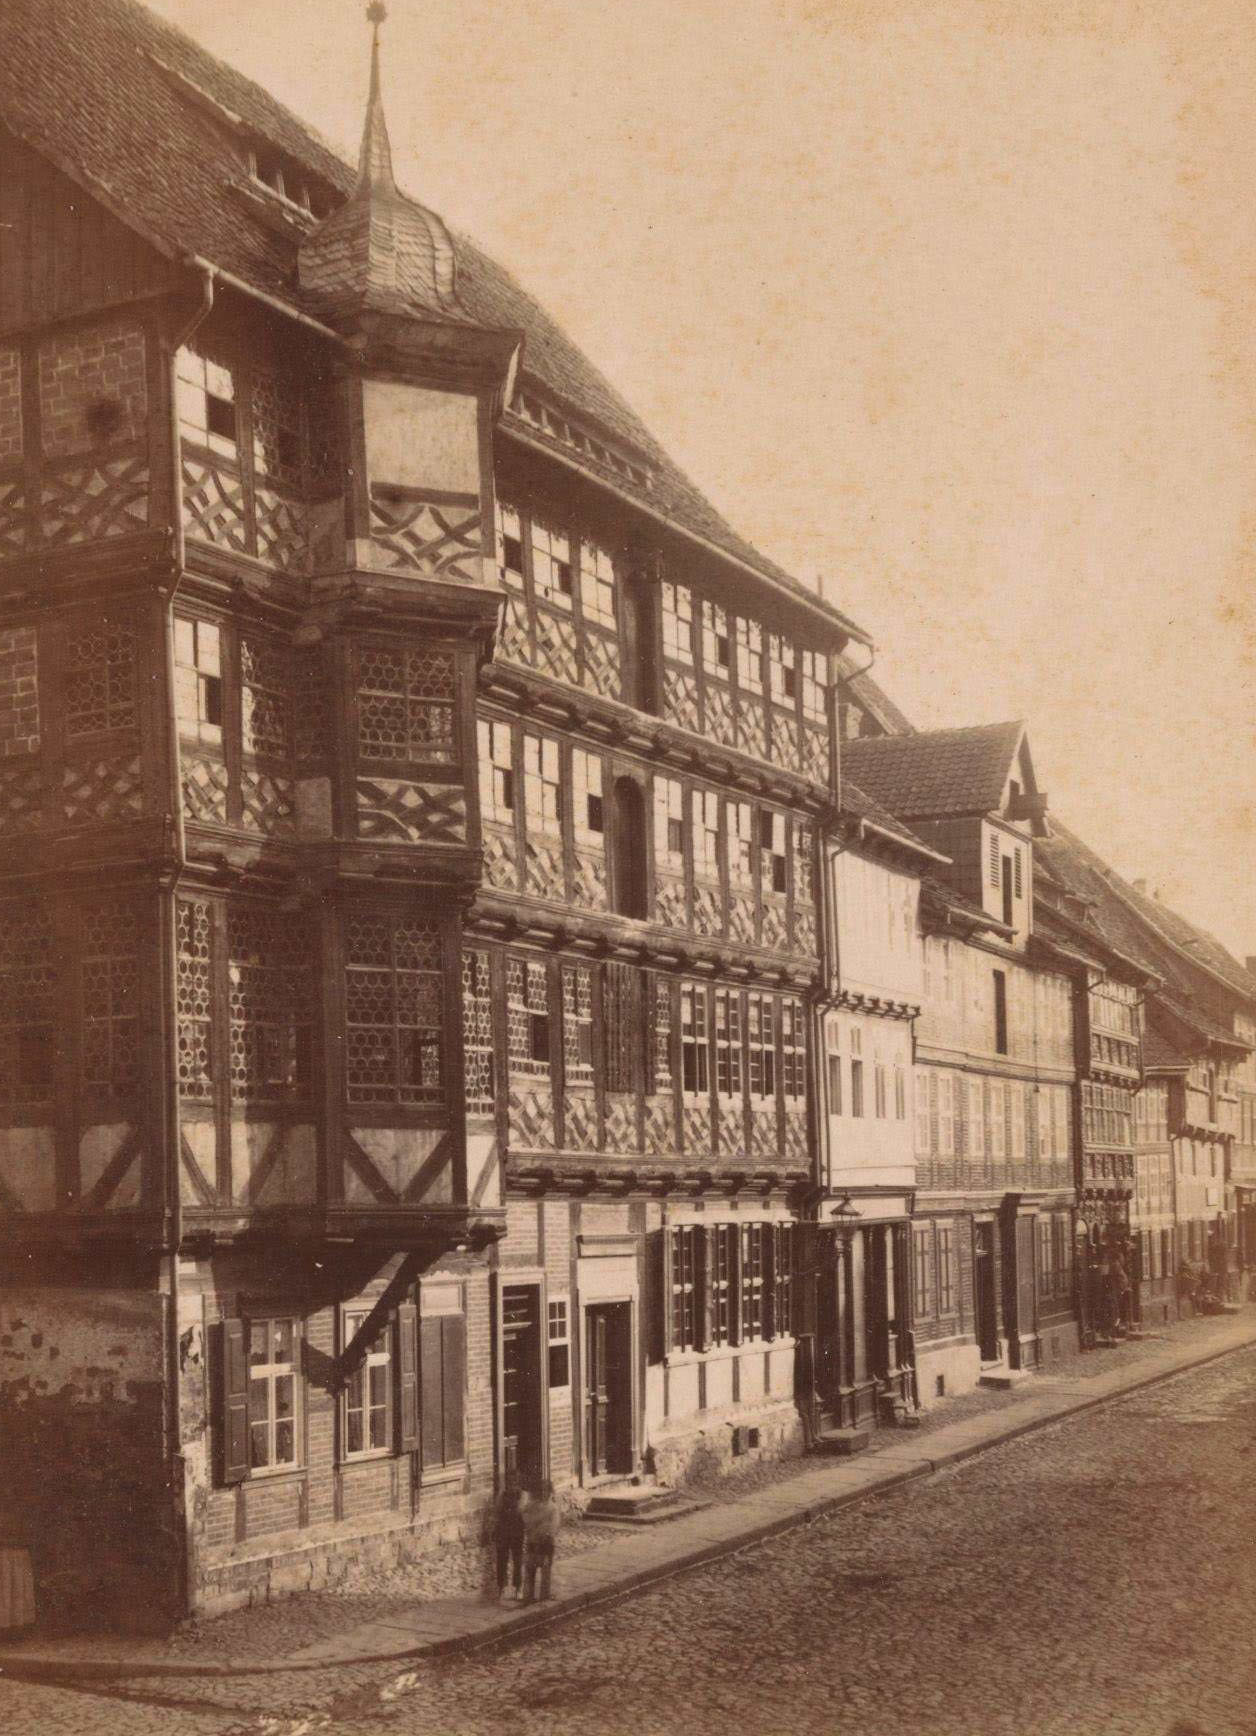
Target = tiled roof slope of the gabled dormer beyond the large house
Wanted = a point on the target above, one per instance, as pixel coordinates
(936, 773)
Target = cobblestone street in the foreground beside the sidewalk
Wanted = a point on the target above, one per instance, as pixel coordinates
(1097, 1577)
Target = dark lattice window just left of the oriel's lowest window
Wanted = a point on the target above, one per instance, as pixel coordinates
(270, 1001)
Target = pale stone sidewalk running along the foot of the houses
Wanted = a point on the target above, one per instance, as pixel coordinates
(638, 1558)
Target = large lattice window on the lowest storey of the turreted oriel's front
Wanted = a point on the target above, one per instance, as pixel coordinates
(395, 1011)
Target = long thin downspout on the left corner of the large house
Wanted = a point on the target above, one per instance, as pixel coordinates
(169, 952)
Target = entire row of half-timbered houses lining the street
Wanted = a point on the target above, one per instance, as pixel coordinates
(488, 978)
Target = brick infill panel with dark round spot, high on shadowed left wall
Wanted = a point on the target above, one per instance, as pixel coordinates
(86, 369)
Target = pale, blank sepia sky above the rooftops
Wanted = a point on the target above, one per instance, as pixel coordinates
(946, 305)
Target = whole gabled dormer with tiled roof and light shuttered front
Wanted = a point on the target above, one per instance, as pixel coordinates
(971, 794)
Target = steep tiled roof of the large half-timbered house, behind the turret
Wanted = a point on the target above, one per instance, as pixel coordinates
(81, 82)
